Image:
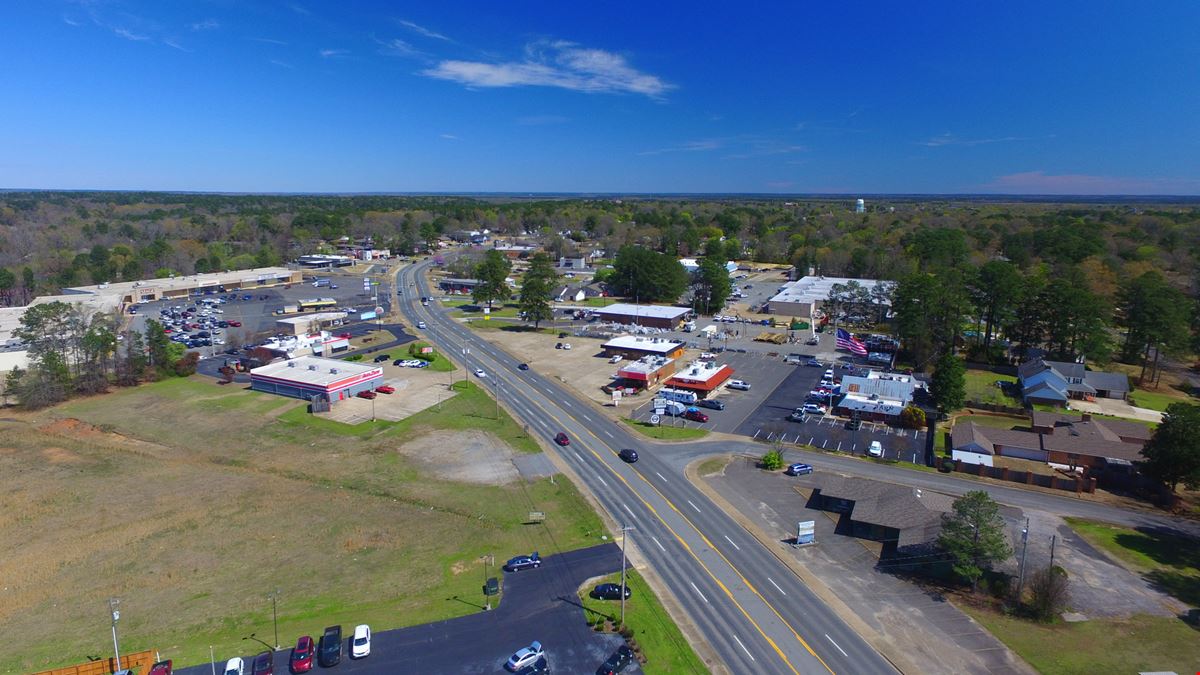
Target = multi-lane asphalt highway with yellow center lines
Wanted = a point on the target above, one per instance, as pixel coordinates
(753, 612)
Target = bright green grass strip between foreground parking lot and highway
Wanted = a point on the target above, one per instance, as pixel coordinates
(665, 648)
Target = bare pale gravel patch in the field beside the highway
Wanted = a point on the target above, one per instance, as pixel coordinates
(466, 457)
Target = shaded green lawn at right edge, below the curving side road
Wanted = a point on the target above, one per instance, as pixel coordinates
(1168, 561)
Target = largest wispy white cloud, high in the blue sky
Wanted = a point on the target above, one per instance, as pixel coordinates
(565, 65)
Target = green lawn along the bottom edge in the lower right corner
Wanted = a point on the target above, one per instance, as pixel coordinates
(1132, 646)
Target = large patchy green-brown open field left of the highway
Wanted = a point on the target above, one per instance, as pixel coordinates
(191, 503)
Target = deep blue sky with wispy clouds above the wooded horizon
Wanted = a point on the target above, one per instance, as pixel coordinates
(793, 98)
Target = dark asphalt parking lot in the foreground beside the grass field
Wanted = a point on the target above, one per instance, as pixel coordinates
(538, 605)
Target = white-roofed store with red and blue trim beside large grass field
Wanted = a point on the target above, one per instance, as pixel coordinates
(305, 378)
